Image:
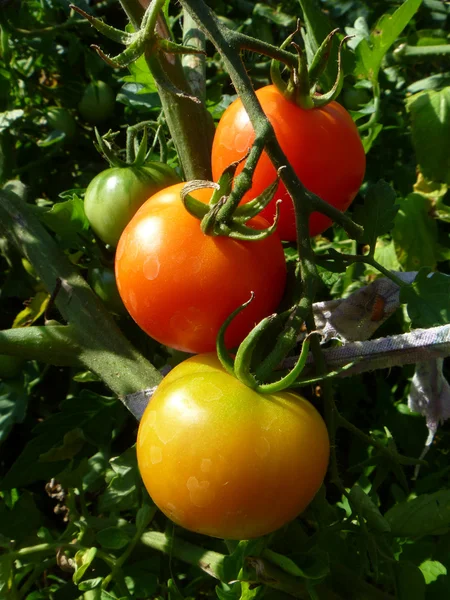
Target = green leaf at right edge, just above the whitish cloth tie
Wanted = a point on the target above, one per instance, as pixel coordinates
(428, 299)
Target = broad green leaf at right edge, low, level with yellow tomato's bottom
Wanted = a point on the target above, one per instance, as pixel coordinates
(425, 515)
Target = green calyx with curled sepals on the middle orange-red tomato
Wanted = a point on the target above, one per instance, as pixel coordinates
(223, 216)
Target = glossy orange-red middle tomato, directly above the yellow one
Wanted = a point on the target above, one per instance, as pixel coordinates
(179, 285)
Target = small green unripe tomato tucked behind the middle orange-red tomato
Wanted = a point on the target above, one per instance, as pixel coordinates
(114, 195)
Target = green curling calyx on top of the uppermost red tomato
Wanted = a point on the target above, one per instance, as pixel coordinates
(303, 80)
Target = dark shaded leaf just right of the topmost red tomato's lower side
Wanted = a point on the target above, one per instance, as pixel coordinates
(377, 213)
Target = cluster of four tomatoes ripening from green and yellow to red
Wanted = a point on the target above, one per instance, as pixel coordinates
(216, 456)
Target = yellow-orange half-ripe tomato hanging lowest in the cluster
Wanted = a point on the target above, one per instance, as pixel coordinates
(221, 459)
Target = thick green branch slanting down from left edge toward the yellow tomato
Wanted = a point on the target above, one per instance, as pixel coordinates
(104, 349)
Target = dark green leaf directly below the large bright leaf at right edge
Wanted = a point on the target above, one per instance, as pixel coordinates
(415, 233)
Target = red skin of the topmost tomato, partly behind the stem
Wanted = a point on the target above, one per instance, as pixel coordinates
(322, 144)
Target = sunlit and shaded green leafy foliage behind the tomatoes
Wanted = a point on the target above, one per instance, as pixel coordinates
(75, 519)
